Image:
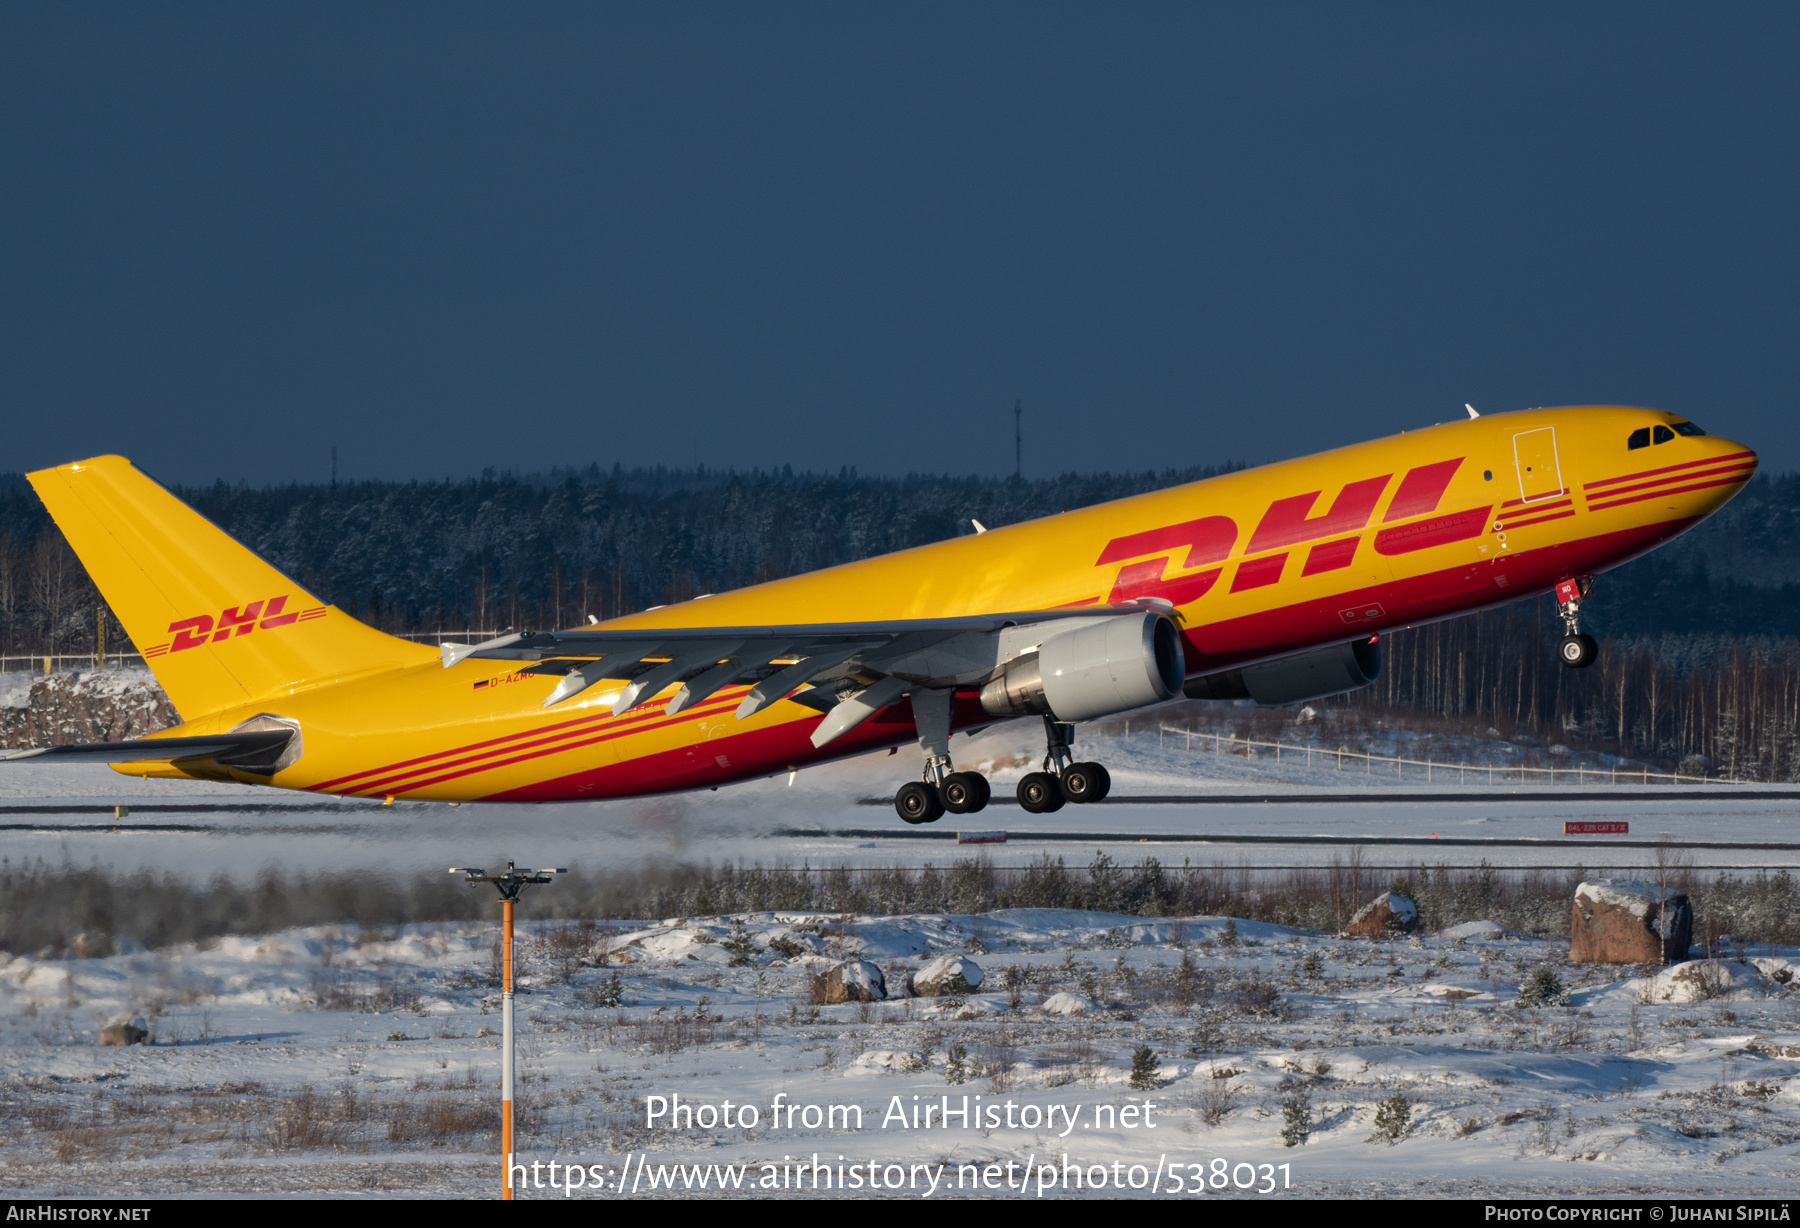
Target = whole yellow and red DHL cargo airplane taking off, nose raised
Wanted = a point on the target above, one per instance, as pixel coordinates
(1268, 584)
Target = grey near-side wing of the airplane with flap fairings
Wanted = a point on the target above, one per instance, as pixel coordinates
(820, 665)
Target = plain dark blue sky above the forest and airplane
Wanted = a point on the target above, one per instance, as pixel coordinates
(447, 237)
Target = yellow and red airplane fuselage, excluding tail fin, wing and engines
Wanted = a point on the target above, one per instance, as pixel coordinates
(1257, 564)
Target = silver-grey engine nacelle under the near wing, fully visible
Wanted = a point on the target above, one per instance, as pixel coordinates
(1097, 671)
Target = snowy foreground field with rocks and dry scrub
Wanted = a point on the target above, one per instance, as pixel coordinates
(341, 1061)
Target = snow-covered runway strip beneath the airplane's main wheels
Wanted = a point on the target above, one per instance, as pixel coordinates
(840, 813)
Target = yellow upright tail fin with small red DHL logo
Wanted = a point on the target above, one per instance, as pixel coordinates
(217, 626)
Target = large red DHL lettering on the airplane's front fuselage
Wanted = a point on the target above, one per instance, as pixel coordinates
(1291, 523)
